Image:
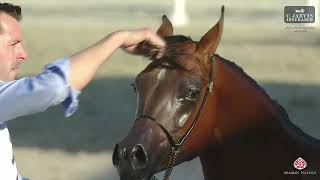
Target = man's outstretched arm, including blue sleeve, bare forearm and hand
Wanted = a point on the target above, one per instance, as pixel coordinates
(61, 80)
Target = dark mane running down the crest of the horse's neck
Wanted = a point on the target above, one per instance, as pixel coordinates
(281, 113)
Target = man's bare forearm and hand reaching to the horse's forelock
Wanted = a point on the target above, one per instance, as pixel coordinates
(85, 63)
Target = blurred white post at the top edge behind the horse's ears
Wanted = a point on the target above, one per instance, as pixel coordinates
(179, 15)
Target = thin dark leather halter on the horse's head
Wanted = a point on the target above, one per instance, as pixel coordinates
(175, 146)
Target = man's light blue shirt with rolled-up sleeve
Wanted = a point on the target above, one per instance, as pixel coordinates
(31, 95)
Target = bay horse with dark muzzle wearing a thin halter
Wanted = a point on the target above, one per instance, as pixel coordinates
(194, 103)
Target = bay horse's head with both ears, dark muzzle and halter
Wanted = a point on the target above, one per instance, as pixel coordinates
(171, 95)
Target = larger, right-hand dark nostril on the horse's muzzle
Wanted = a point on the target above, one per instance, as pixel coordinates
(138, 157)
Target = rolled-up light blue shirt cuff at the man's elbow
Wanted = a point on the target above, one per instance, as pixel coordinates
(70, 103)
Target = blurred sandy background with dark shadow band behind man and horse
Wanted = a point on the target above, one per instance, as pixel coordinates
(49, 146)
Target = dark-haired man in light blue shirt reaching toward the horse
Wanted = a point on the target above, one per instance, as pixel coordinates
(60, 83)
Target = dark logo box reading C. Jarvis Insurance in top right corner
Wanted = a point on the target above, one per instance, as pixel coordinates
(299, 14)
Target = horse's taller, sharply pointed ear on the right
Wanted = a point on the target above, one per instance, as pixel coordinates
(209, 42)
